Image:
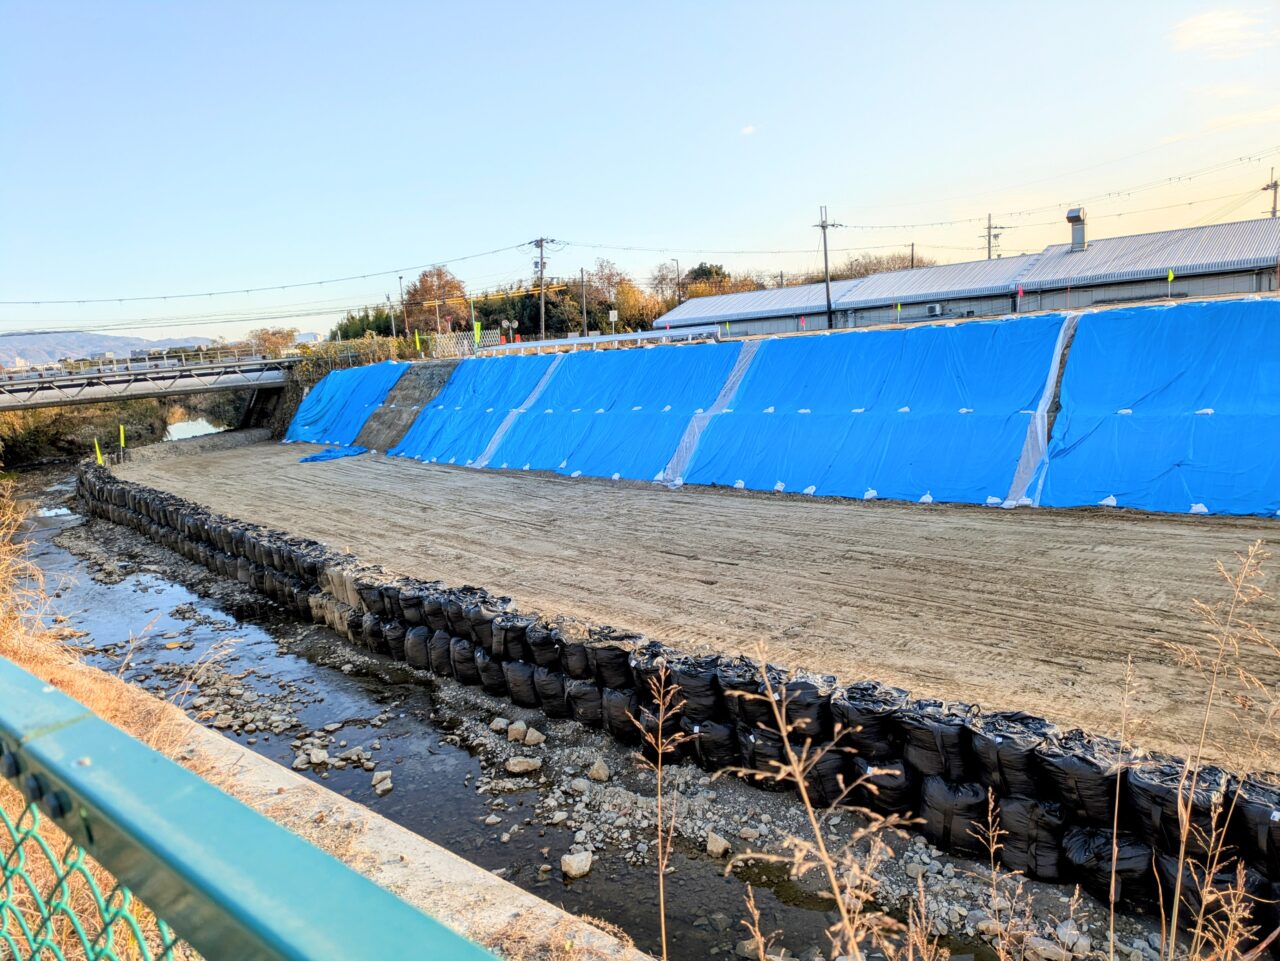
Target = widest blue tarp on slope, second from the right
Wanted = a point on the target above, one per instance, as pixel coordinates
(921, 414)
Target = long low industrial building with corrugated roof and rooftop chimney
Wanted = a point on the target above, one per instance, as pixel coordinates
(1219, 259)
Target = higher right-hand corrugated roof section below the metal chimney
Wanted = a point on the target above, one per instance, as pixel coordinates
(1247, 245)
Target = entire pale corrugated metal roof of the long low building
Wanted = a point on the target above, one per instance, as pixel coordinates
(1247, 245)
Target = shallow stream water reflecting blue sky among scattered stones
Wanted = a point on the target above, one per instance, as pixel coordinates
(131, 628)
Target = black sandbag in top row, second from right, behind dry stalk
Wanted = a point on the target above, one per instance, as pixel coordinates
(1153, 789)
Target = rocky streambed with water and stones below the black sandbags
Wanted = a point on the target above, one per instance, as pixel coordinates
(308, 699)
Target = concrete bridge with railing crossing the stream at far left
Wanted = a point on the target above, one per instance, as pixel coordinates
(103, 382)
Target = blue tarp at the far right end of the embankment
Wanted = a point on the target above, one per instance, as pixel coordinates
(1172, 409)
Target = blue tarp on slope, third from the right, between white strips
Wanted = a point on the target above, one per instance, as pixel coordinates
(616, 414)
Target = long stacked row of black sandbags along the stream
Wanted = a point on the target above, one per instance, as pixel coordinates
(1055, 793)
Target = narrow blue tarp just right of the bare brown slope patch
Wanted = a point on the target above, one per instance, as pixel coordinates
(468, 413)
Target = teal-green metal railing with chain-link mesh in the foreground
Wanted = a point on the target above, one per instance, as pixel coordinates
(109, 838)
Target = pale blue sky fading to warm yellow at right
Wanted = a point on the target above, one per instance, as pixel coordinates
(158, 149)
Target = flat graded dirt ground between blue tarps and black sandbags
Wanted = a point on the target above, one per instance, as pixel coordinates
(1013, 610)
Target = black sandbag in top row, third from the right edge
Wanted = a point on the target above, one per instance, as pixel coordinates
(1082, 771)
